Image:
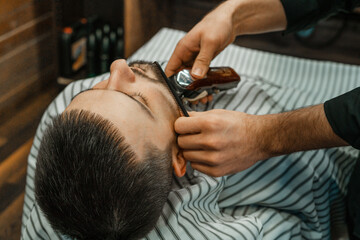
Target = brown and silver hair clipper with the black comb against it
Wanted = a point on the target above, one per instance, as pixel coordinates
(185, 88)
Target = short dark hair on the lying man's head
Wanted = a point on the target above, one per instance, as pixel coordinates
(91, 185)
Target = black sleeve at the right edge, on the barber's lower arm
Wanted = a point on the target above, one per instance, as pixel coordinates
(343, 114)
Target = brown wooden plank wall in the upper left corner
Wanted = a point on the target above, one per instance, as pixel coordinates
(27, 51)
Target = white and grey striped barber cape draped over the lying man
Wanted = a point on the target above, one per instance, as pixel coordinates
(298, 196)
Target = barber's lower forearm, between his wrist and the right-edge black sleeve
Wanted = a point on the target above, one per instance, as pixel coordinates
(299, 130)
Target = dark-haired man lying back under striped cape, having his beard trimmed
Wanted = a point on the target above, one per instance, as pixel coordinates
(105, 165)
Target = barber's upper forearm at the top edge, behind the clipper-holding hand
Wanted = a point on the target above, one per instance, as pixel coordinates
(256, 16)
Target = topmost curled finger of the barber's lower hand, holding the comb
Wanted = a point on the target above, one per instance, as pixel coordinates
(188, 125)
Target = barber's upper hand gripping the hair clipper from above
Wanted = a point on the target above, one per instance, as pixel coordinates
(203, 43)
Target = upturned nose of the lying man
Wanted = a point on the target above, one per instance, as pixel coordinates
(120, 75)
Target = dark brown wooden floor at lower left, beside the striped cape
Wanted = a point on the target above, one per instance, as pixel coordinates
(18, 131)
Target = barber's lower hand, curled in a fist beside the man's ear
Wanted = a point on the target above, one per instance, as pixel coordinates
(220, 142)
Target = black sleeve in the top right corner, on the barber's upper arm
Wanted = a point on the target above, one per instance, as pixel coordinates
(302, 14)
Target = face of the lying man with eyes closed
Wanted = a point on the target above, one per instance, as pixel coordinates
(136, 100)
